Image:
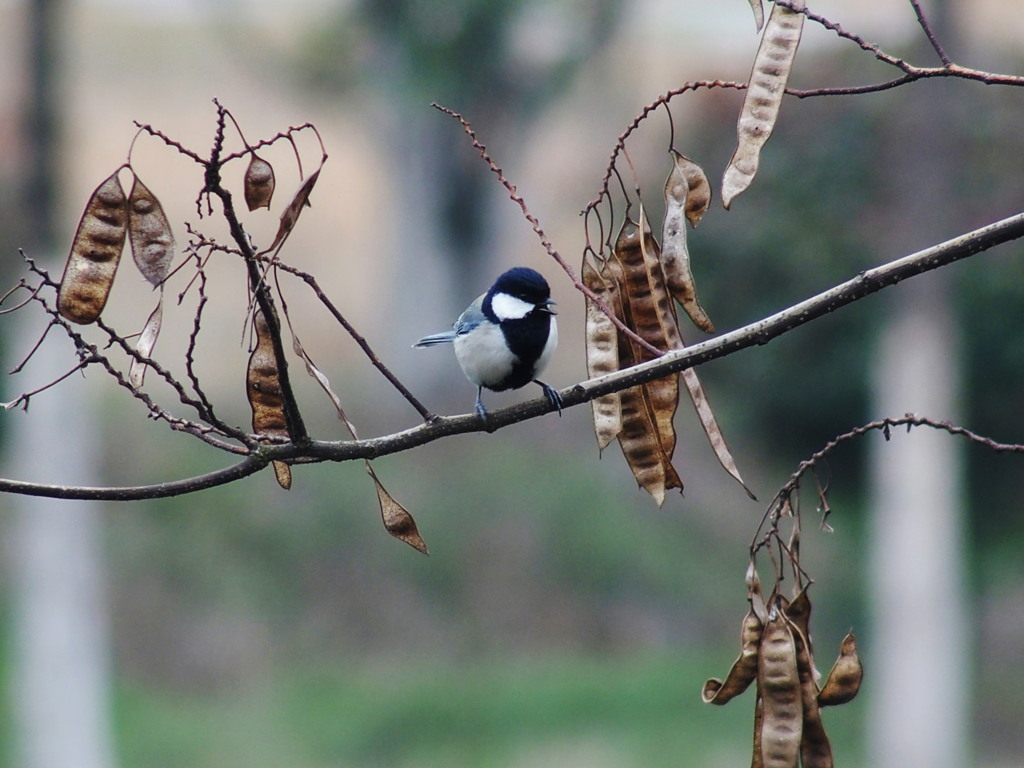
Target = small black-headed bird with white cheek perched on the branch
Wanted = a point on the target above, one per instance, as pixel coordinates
(507, 337)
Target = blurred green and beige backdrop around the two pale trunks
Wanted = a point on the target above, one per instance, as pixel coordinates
(562, 619)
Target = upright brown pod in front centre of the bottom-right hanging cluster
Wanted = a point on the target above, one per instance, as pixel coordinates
(779, 684)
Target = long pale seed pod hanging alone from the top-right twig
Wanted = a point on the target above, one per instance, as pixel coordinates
(770, 75)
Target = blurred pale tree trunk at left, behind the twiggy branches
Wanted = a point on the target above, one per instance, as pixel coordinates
(61, 677)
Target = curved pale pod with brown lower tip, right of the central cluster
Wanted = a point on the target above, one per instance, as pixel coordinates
(675, 254)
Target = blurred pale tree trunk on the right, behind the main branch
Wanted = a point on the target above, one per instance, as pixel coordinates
(920, 705)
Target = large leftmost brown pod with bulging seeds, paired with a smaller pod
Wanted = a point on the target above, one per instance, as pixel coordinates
(96, 253)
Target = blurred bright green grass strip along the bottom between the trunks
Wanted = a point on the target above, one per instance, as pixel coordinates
(642, 711)
